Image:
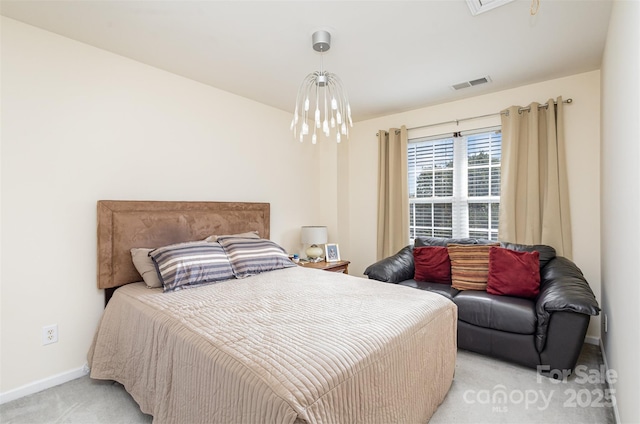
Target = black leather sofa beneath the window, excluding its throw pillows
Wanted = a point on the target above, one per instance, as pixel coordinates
(546, 333)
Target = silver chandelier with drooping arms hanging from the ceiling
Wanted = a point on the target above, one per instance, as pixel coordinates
(322, 103)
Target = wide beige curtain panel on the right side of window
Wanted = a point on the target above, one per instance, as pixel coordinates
(534, 198)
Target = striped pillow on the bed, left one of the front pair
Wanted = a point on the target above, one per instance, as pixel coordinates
(191, 264)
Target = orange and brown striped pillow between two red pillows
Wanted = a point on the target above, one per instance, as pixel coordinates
(469, 266)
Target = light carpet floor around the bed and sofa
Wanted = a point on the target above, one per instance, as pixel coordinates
(484, 390)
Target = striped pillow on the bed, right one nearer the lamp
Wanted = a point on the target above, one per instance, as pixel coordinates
(250, 256)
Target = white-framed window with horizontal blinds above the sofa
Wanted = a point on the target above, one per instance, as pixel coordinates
(454, 185)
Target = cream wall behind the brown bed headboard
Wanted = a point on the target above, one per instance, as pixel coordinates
(80, 124)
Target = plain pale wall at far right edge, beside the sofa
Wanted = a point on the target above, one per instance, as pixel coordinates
(620, 188)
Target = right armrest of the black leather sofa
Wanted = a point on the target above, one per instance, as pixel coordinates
(562, 288)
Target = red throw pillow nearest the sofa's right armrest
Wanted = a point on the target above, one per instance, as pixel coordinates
(513, 273)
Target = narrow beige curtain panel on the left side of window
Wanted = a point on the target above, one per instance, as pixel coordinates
(393, 192)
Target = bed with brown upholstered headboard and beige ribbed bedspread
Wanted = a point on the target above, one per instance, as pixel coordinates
(290, 345)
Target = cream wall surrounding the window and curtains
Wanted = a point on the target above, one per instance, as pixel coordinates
(582, 131)
